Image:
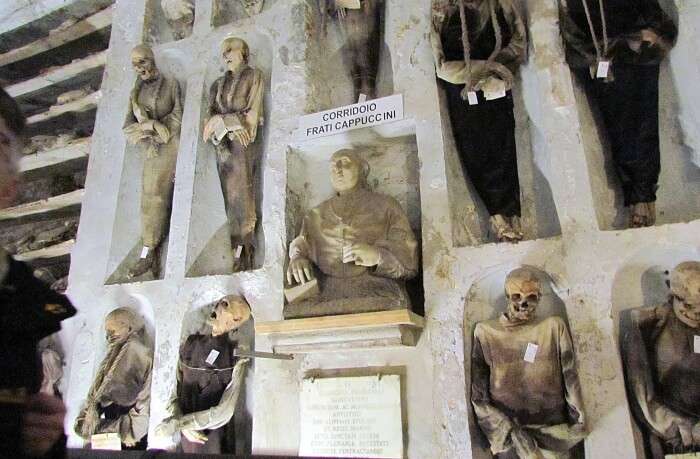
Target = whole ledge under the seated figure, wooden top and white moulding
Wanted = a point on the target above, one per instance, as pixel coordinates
(383, 329)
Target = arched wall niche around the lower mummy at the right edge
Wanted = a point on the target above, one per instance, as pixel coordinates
(641, 281)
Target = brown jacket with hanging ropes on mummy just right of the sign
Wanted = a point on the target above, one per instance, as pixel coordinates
(446, 39)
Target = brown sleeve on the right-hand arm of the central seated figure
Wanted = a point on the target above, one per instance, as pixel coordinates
(399, 249)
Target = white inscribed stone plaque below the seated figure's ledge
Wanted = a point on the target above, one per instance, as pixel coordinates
(351, 417)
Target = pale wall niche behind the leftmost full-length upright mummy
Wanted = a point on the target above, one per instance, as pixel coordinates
(126, 245)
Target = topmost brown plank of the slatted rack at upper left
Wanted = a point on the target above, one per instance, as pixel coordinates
(86, 26)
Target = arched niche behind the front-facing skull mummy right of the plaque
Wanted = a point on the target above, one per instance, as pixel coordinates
(486, 300)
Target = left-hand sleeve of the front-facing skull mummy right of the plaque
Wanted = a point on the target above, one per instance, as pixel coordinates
(493, 422)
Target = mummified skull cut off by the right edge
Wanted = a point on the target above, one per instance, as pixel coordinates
(685, 292)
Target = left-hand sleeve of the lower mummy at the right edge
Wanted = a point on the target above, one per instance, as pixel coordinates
(640, 324)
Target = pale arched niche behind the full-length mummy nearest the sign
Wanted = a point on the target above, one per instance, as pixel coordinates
(209, 243)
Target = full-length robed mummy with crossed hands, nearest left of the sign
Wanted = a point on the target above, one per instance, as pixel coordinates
(235, 112)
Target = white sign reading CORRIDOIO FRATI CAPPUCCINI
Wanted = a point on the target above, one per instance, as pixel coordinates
(364, 114)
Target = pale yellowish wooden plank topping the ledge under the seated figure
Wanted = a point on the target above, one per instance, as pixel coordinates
(363, 320)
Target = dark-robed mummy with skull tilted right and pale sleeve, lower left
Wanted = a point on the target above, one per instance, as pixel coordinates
(209, 380)
